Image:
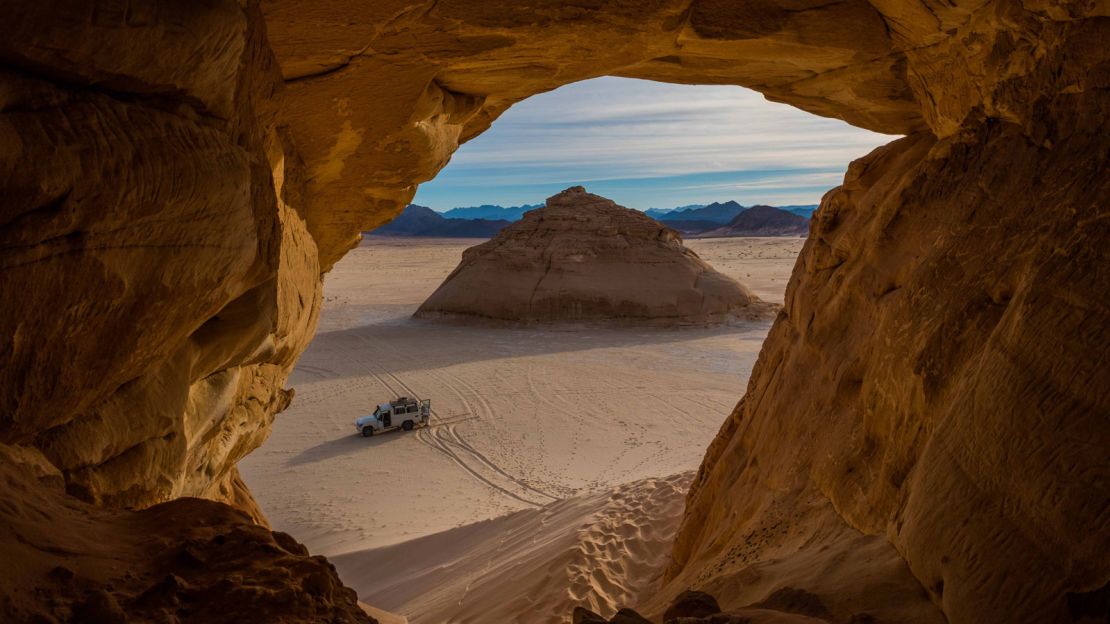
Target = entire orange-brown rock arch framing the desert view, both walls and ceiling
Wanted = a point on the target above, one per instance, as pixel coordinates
(176, 178)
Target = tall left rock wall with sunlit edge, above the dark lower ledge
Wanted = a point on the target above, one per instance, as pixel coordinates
(164, 287)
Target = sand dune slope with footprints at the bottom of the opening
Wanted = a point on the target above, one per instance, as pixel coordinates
(601, 550)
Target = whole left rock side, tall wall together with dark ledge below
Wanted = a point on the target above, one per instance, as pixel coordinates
(158, 284)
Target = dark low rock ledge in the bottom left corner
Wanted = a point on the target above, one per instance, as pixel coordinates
(189, 561)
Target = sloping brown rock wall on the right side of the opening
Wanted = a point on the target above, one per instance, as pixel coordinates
(965, 419)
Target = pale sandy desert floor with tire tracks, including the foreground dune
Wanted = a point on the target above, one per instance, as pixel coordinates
(557, 474)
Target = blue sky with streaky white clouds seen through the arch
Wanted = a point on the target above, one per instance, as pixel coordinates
(649, 145)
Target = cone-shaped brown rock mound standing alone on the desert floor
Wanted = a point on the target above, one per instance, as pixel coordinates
(584, 258)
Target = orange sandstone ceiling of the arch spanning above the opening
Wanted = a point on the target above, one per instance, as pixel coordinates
(380, 97)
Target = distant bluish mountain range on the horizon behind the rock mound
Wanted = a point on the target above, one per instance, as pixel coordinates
(718, 219)
